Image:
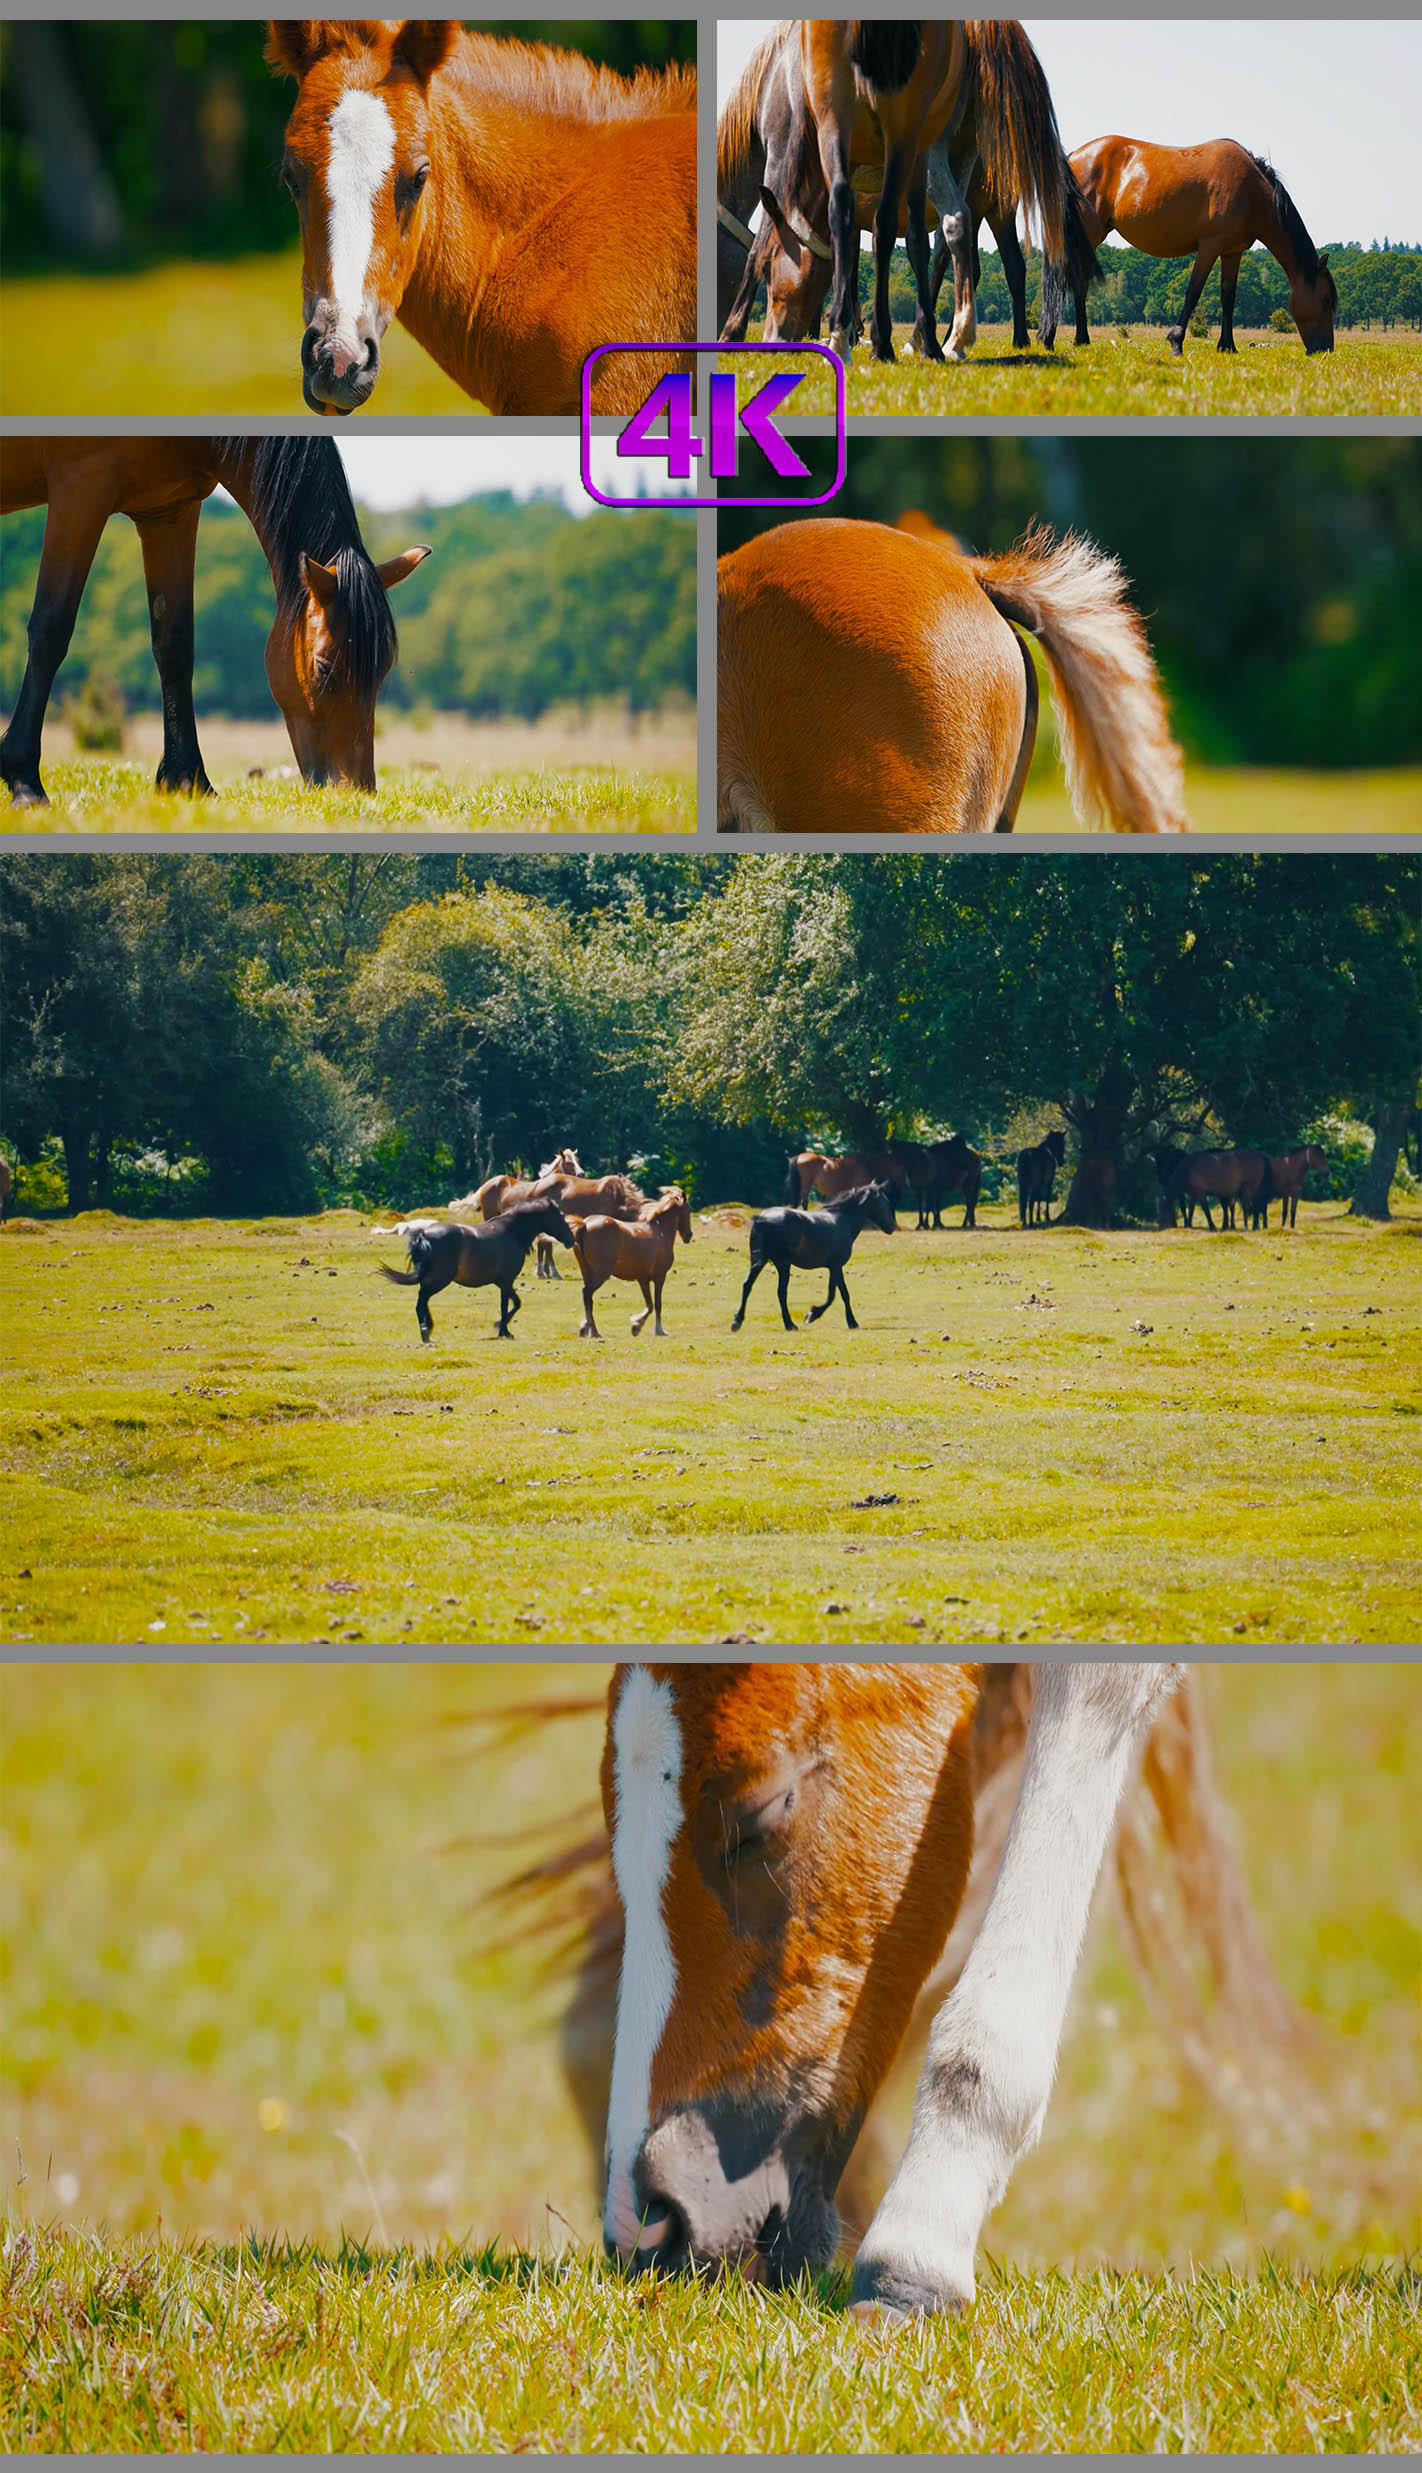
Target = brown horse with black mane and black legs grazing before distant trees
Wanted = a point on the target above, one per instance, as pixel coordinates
(333, 639)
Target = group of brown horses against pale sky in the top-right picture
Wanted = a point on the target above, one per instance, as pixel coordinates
(849, 125)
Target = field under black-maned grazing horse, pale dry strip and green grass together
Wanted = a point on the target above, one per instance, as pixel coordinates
(605, 773)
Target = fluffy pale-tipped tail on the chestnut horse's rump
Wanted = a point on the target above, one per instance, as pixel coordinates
(1122, 760)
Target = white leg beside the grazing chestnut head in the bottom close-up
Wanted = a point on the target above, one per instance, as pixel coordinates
(993, 2049)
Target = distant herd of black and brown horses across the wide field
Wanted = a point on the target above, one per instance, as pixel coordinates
(615, 1230)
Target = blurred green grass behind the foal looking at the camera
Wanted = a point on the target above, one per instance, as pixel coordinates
(202, 340)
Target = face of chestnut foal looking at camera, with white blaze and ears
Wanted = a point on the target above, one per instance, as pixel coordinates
(357, 164)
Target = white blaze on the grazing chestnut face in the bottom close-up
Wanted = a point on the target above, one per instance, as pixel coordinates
(647, 1819)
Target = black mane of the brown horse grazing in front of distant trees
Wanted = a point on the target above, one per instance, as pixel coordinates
(303, 498)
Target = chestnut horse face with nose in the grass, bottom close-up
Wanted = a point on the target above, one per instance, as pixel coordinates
(790, 1846)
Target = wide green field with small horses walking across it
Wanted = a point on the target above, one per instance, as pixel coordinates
(229, 1431)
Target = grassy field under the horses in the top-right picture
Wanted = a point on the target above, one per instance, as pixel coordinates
(1122, 375)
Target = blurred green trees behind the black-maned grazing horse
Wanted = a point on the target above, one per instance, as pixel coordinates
(523, 607)
